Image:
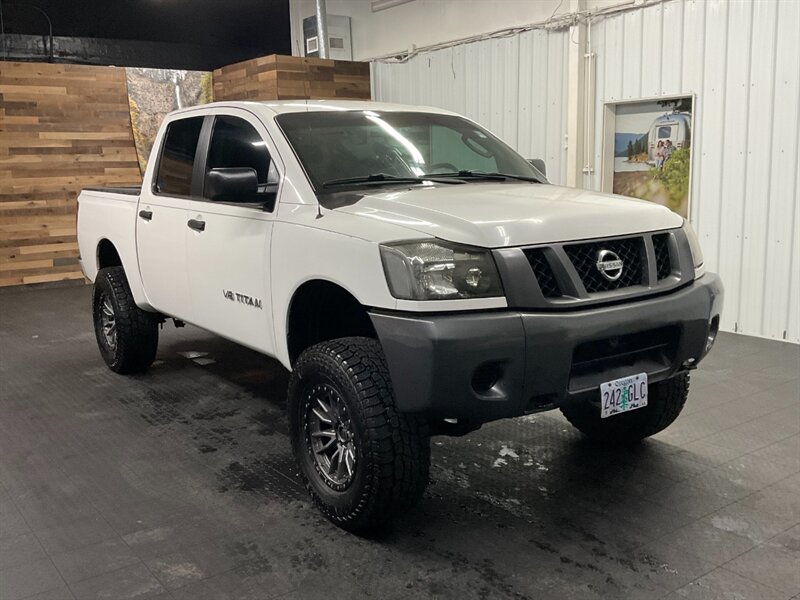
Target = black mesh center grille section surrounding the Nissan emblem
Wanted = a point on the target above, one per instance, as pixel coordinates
(630, 251)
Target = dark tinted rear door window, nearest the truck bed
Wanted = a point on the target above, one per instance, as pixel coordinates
(174, 175)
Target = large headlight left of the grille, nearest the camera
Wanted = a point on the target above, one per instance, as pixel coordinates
(437, 270)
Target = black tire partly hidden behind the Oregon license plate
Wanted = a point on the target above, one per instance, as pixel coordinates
(664, 404)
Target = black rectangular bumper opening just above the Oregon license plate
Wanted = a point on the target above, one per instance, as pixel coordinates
(644, 352)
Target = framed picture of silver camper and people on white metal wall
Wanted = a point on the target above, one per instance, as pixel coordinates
(648, 150)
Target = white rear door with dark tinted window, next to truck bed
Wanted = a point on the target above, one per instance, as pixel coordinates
(161, 228)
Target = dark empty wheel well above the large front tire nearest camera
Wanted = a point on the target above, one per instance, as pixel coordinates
(321, 311)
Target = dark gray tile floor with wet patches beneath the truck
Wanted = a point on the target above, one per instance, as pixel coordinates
(179, 484)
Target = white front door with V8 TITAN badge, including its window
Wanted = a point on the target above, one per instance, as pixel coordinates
(228, 246)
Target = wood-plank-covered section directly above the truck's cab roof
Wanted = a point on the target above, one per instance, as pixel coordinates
(292, 77)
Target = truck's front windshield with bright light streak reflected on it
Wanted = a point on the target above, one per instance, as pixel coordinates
(340, 145)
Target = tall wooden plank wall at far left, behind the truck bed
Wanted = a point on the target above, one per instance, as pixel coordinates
(62, 128)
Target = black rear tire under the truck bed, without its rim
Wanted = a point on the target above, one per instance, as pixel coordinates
(136, 329)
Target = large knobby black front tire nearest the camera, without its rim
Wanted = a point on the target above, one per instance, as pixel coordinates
(392, 449)
